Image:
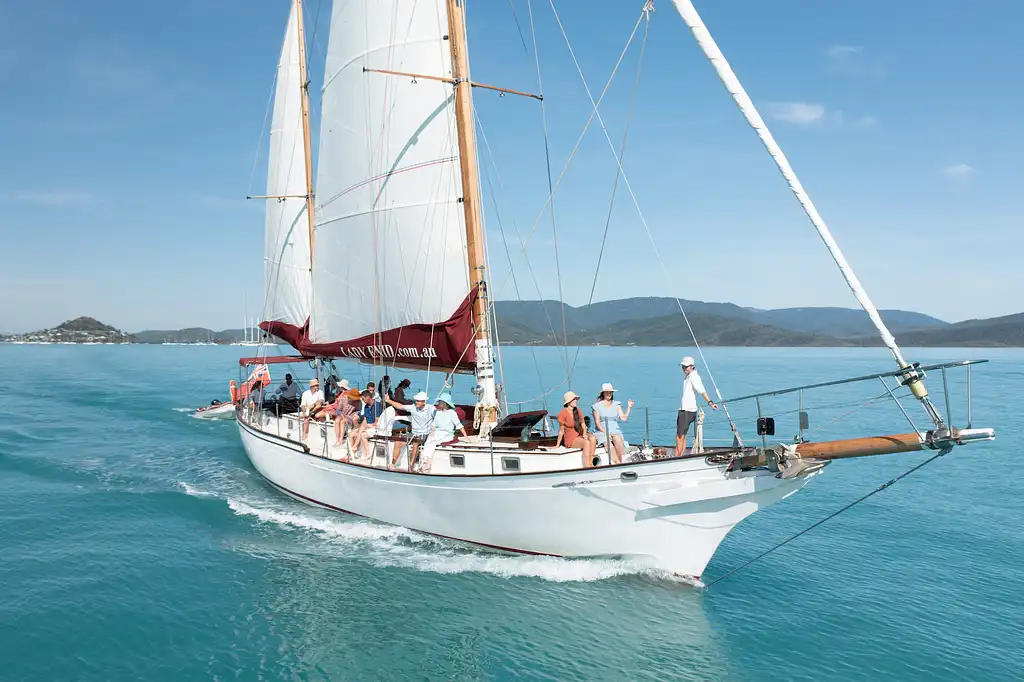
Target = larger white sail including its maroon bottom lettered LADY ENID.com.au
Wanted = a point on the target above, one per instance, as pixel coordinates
(391, 274)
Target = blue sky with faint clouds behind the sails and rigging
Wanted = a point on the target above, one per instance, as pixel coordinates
(130, 134)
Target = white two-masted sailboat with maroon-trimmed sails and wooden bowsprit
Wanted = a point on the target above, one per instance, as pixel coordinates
(386, 266)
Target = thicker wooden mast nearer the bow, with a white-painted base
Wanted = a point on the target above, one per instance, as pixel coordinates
(488, 399)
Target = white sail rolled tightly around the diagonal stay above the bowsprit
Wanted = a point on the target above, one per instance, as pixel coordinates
(746, 105)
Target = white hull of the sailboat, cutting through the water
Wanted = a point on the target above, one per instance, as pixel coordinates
(674, 513)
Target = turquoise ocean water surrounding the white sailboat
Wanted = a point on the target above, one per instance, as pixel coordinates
(138, 543)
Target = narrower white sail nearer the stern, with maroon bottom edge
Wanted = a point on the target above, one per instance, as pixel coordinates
(288, 283)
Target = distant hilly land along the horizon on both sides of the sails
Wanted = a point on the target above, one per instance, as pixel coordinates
(641, 322)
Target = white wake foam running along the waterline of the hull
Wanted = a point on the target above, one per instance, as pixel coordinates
(383, 545)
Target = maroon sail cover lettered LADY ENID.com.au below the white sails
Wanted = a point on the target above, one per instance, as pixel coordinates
(445, 346)
